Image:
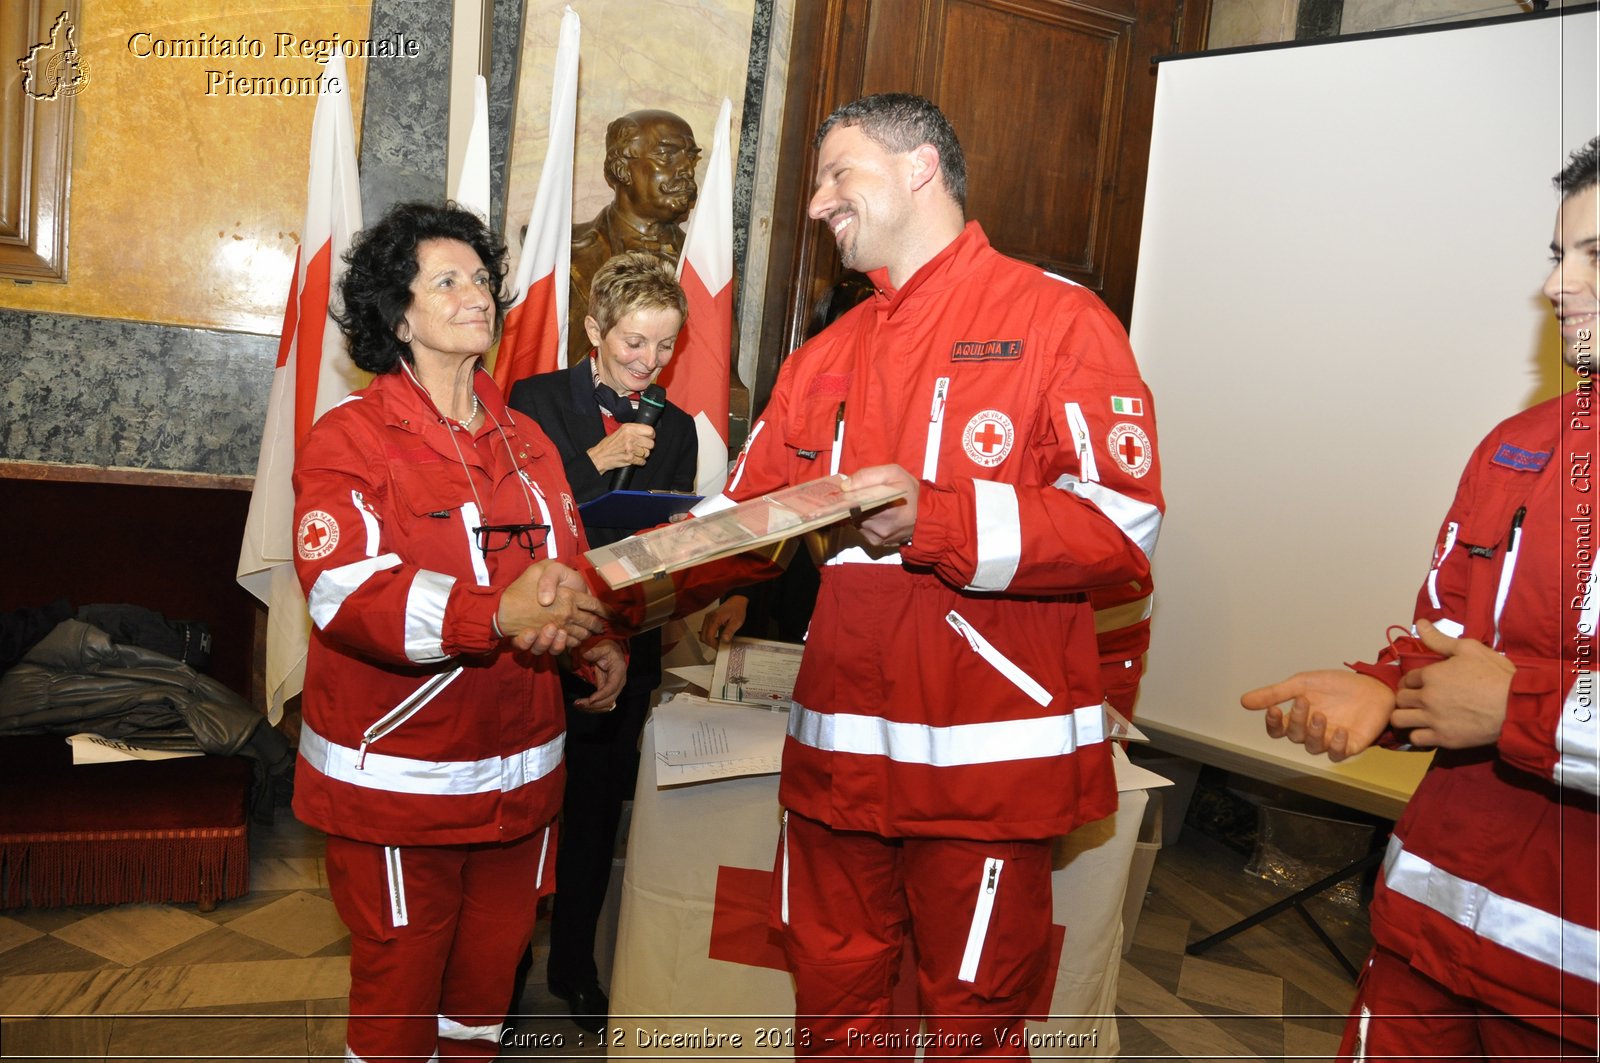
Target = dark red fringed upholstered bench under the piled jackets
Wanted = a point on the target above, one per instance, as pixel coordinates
(119, 833)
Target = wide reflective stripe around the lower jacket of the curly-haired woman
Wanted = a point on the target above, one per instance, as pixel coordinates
(449, 779)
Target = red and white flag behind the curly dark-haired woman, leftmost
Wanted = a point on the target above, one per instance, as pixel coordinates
(314, 372)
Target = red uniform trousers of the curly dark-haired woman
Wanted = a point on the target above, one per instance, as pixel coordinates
(438, 984)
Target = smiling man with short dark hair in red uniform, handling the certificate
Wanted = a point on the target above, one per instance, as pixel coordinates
(950, 713)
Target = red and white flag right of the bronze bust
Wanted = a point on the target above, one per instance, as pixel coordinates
(698, 377)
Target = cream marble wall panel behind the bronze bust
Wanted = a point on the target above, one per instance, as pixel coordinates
(678, 55)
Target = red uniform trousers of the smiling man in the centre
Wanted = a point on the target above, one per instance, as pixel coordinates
(978, 917)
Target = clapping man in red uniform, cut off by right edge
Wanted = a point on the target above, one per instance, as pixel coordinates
(1486, 917)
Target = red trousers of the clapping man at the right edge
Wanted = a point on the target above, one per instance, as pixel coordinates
(1402, 1014)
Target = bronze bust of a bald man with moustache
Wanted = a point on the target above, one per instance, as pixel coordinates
(650, 166)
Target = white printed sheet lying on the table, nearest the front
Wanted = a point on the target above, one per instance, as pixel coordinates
(698, 740)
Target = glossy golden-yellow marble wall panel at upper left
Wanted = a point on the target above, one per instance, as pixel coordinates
(188, 196)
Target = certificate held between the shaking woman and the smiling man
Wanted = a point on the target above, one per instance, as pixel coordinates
(758, 523)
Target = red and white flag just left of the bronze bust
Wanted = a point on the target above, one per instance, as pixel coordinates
(535, 335)
